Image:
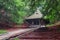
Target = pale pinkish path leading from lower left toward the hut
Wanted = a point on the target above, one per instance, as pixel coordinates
(13, 33)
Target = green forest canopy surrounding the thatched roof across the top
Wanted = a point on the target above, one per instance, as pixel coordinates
(16, 10)
